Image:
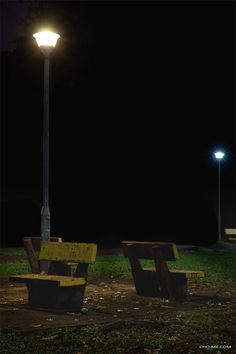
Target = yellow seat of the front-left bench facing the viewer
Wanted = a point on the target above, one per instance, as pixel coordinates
(59, 279)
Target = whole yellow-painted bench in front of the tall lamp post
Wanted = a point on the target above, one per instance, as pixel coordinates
(60, 290)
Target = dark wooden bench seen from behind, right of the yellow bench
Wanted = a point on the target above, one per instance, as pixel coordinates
(160, 280)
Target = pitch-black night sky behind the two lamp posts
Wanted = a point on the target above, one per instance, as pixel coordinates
(142, 94)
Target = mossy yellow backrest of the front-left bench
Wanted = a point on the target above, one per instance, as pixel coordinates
(68, 252)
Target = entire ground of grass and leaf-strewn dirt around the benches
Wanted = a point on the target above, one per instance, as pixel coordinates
(116, 320)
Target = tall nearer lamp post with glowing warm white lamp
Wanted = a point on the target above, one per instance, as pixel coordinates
(46, 41)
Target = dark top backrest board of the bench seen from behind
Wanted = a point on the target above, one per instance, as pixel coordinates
(141, 249)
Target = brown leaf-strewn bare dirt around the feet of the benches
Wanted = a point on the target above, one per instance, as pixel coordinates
(107, 302)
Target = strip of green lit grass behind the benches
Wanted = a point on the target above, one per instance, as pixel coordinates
(218, 267)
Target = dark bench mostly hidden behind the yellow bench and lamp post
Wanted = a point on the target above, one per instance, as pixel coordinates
(32, 245)
